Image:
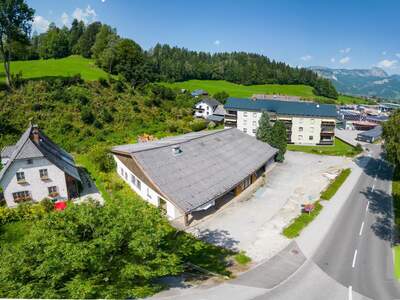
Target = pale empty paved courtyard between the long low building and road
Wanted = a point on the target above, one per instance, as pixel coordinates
(255, 225)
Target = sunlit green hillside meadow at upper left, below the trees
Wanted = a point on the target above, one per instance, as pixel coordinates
(63, 67)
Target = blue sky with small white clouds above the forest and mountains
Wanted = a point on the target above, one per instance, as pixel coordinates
(332, 33)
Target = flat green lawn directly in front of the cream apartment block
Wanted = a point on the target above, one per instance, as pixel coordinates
(340, 148)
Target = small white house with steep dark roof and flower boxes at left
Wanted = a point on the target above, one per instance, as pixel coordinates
(35, 168)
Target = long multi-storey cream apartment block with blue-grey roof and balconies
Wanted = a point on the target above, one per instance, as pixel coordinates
(307, 123)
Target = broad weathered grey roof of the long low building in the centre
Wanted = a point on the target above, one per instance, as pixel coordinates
(211, 163)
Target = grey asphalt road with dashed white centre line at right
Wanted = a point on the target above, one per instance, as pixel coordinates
(357, 251)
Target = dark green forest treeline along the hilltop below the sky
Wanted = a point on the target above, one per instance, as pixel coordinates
(122, 56)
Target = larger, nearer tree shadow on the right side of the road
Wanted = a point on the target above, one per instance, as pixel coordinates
(380, 204)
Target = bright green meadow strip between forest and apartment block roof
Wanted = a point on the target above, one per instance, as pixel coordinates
(246, 91)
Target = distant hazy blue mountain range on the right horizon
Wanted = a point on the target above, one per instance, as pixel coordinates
(374, 82)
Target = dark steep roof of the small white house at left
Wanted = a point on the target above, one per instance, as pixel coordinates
(25, 148)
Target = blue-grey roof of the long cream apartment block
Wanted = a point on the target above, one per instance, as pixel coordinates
(299, 108)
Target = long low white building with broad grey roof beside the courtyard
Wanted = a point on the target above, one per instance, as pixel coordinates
(188, 173)
